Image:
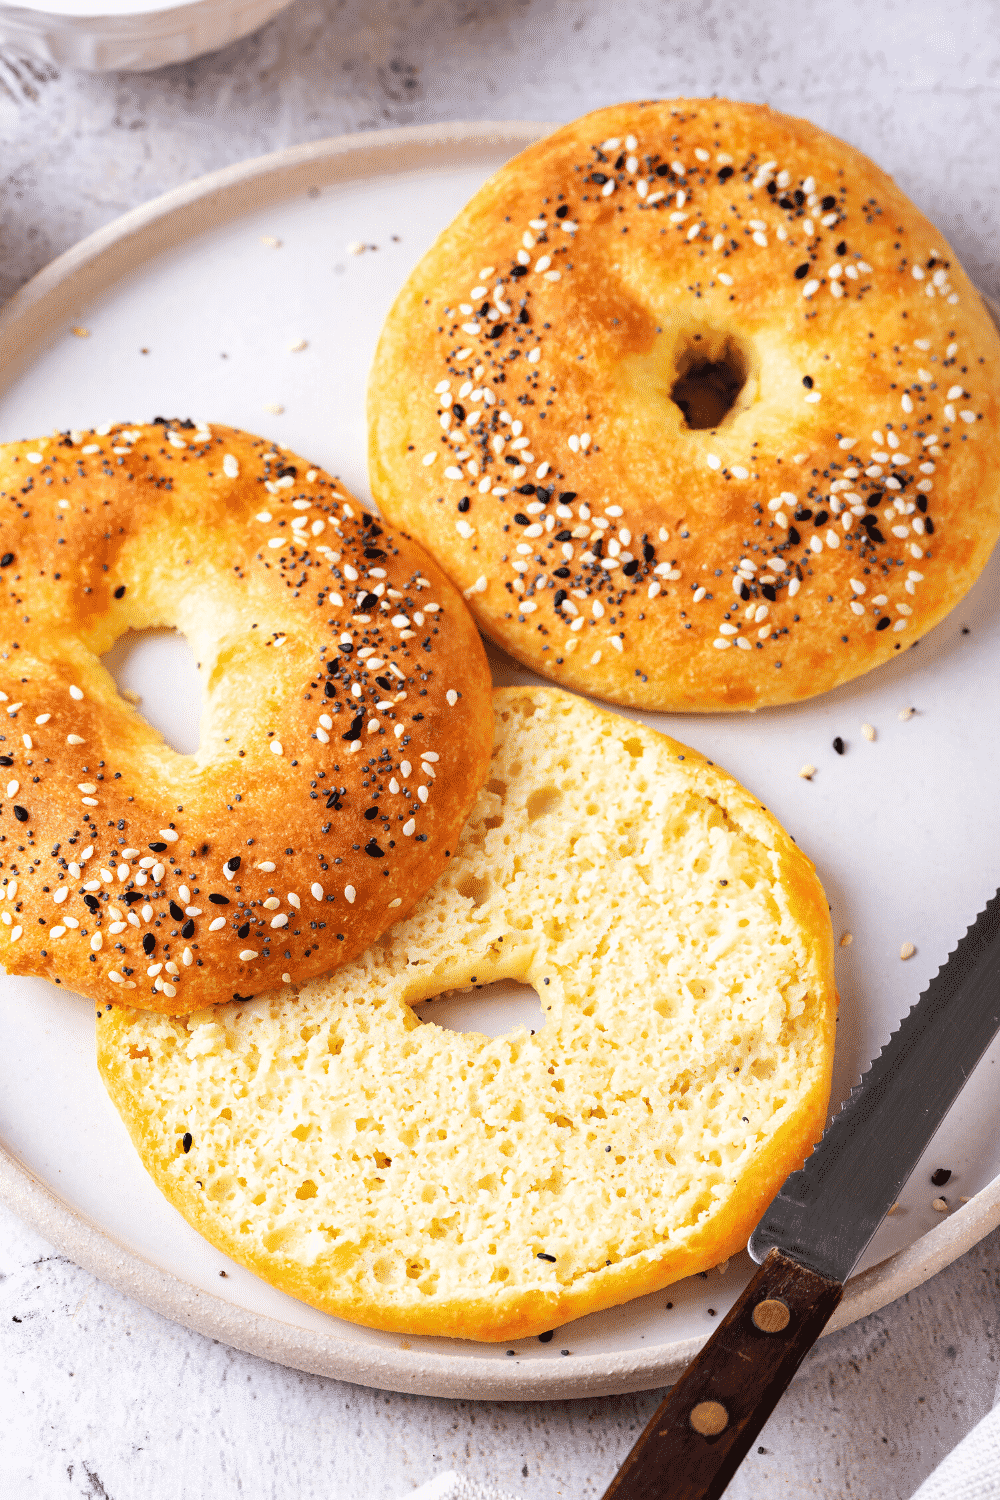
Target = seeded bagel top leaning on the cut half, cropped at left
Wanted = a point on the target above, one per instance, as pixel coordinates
(344, 737)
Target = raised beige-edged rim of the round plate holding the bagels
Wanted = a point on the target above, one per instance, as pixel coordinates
(34, 317)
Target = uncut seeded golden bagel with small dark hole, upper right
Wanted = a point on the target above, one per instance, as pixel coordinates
(695, 406)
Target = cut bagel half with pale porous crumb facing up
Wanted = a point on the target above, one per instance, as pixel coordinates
(409, 1177)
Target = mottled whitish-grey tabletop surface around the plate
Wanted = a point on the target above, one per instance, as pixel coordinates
(101, 1399)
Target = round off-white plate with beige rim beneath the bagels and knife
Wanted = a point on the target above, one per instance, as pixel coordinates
(906, 832)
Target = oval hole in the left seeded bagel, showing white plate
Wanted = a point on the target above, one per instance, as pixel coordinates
(158, 671)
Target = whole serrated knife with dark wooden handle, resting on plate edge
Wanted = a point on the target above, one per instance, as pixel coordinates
(816, 1231)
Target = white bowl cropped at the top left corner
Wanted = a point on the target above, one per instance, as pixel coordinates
(130, 37)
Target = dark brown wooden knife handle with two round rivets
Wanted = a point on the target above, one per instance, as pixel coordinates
(704, 1430)
